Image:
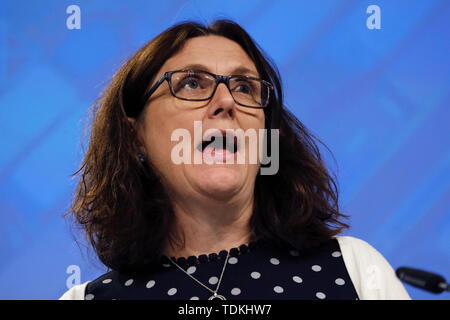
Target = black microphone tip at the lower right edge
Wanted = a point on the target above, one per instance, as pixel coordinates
(422, 279)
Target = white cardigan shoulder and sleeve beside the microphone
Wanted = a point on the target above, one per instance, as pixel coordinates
(371, 274)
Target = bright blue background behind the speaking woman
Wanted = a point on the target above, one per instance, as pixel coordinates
(379, 99)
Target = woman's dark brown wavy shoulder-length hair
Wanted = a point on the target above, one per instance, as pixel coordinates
(121, 204)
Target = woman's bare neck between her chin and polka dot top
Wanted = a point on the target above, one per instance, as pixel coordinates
(209, 226)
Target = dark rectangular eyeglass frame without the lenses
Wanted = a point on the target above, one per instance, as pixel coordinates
(219, 79)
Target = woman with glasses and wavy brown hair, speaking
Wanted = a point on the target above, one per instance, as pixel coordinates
(171, 230)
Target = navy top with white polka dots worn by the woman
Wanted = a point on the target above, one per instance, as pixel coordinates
(257, 271)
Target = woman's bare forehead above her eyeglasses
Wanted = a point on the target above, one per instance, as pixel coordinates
(217, 54)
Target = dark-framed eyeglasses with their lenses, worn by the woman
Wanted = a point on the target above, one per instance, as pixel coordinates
(198, 85)
